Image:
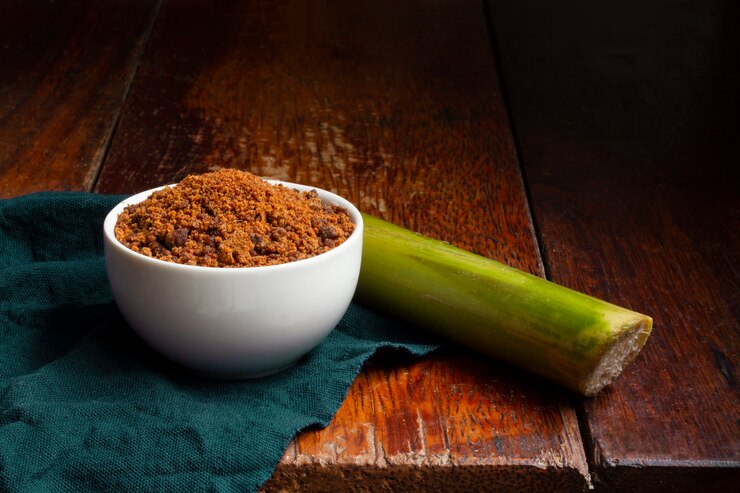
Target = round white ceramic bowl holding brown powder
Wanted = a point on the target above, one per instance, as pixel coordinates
(234, 322)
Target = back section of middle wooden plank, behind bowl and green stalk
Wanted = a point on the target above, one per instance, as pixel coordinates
(409, 128)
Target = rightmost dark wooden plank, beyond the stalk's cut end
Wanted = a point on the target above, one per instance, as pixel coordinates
(622, 112)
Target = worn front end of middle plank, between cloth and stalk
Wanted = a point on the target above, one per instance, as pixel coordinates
(453, 422)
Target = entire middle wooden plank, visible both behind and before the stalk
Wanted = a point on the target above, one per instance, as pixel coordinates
(397, 108)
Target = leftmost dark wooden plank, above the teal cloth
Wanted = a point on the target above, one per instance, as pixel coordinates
(65, 67)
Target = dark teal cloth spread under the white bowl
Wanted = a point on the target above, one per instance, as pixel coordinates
(85, 405)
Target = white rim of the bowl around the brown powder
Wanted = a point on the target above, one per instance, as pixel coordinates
(326, 196)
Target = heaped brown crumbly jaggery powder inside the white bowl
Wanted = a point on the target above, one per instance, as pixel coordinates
(232, 218)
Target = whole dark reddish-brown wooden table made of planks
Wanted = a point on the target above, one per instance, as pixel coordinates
(594, 143)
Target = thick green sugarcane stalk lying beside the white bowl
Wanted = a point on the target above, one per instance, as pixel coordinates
(576, 340)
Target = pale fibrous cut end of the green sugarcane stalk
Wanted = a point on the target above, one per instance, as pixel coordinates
(617, 356)
